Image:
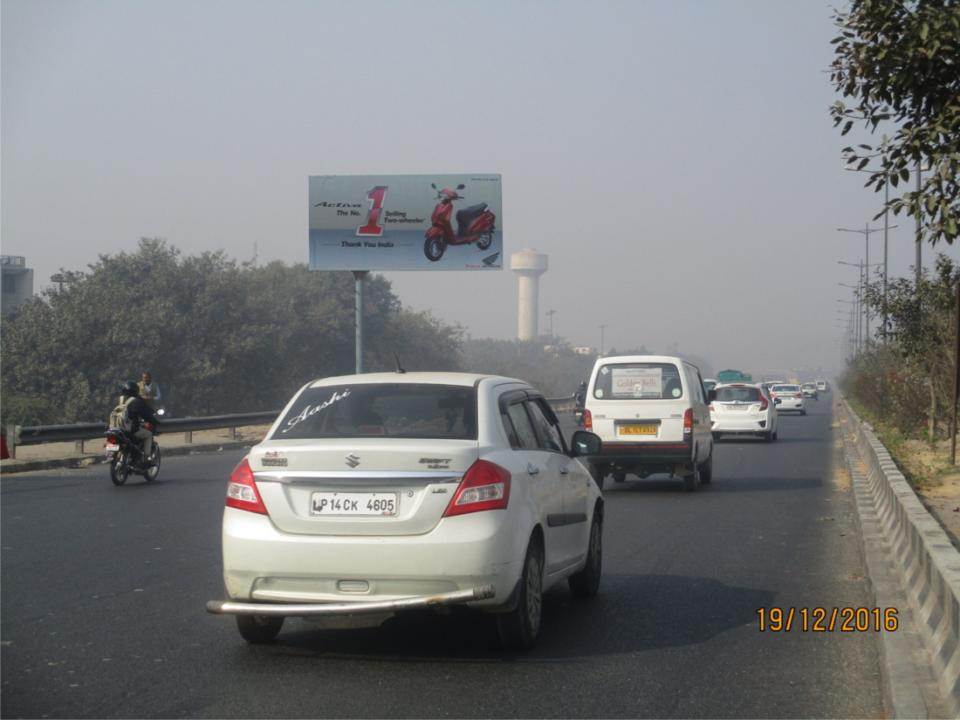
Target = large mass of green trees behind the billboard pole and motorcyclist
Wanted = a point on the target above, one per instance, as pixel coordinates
(218, 337)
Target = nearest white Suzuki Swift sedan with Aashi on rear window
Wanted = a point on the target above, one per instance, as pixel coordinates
(382, 492)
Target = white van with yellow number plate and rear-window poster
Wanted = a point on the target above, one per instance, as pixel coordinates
(653, 415)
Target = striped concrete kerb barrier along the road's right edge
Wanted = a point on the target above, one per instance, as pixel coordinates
(928, 563)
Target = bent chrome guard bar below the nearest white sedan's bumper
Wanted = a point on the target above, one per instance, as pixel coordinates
(228, 607)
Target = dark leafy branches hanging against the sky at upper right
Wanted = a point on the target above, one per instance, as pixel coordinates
(899, 62)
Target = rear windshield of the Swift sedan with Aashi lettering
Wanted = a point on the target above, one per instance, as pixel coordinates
(399, 410)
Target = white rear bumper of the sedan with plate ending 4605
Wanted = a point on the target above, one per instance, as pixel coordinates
(261, 564)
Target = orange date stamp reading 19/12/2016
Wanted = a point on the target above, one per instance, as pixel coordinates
(822, 619)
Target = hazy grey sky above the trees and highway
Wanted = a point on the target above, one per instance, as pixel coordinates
(676, 160)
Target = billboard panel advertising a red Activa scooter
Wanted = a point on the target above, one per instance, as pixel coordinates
(405, 222)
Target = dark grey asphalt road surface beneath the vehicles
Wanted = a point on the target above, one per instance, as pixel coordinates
(103, 593)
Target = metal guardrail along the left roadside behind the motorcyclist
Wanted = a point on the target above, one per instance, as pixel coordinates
(81, 432)
